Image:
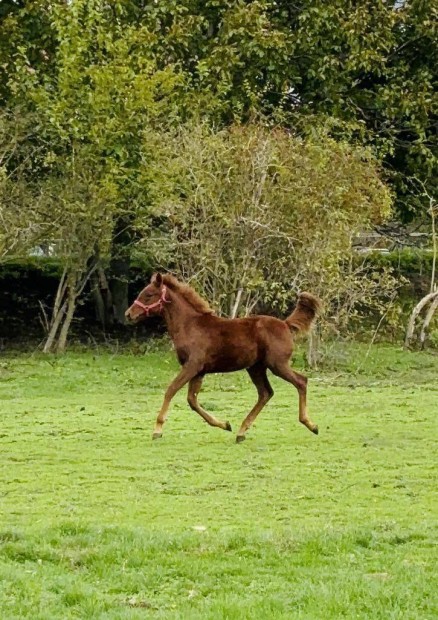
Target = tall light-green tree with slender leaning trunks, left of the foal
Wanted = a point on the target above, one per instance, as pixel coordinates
(93, 110)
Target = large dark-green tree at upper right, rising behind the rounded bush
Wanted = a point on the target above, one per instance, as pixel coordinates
(367, 69)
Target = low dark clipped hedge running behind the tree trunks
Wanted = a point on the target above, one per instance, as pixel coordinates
(28, 287)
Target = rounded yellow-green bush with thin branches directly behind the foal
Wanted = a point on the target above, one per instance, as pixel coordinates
(250, 208)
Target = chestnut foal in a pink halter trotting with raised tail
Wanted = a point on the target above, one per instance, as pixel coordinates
(206, 343)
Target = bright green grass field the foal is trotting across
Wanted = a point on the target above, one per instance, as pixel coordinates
(99, 521)
